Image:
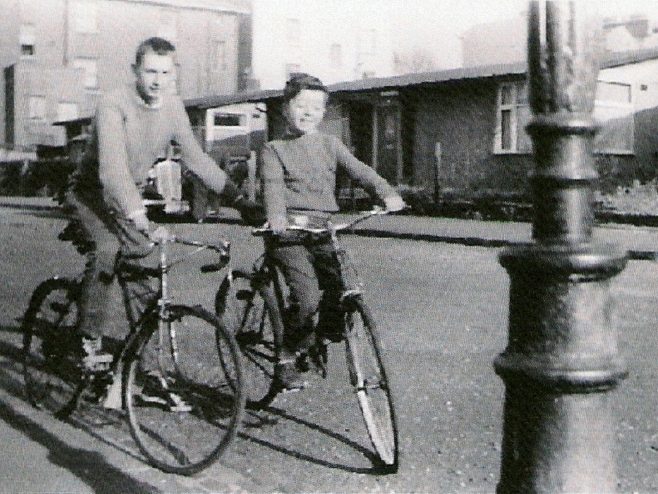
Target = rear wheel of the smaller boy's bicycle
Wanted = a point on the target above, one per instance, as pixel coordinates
(247, 314)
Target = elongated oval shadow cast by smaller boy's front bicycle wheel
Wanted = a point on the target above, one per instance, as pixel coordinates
(273, 415)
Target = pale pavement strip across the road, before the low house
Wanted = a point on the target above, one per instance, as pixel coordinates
(641, 242)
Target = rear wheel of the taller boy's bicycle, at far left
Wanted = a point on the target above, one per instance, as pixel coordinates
(51, 347)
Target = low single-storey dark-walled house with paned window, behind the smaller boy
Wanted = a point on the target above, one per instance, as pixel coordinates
(464, 129)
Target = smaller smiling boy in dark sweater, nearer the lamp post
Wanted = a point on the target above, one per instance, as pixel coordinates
(298, 174)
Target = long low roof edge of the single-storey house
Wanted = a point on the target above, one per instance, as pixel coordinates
(408, 80)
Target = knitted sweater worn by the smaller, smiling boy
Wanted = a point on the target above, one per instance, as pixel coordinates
(299, 173)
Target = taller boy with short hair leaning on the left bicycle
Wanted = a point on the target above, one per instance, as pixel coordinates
(134, 125)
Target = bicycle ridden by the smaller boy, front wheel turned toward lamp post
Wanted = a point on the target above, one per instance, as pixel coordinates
(252, 303)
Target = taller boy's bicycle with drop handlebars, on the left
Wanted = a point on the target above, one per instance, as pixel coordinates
(196, 415)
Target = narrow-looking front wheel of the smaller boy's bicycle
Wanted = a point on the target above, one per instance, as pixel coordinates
(368, 376)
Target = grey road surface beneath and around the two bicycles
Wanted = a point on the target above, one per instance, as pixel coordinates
(442, 311)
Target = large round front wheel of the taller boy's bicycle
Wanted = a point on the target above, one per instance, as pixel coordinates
(185, 403)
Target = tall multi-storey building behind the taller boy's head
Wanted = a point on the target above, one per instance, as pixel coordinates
(58, 56)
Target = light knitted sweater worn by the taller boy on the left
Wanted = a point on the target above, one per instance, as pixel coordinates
(128, 138)
